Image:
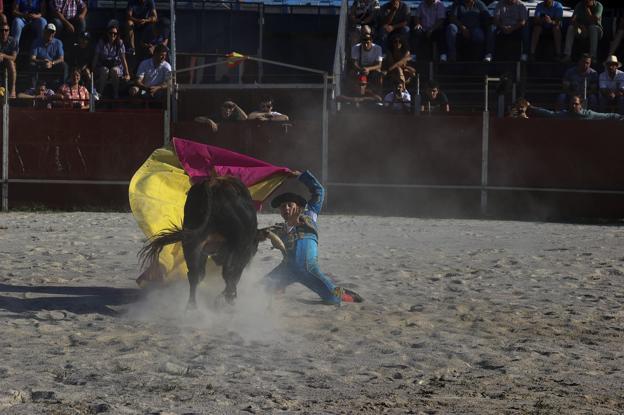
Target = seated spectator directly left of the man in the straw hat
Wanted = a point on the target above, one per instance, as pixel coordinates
(580, 80)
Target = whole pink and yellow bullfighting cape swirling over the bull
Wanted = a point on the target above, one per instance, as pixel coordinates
(158, 190)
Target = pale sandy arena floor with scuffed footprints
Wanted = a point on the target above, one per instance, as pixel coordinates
(461, 316)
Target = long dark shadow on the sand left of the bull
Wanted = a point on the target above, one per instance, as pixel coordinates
(77, 300)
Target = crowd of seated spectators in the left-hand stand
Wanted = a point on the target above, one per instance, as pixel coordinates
(74, 61)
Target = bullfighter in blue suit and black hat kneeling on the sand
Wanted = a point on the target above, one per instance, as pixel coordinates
(299, 235)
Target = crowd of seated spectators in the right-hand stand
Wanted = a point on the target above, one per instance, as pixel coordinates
(388, 40)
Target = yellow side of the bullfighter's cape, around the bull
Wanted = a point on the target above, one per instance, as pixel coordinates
(157, 195)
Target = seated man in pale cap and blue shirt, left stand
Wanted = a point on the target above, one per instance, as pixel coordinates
(47, 57)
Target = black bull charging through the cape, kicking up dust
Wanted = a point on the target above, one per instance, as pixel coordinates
(219, 221)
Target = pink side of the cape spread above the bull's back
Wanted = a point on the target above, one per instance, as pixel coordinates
(197, 159)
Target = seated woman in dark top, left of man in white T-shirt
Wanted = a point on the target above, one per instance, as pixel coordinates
(109, 61)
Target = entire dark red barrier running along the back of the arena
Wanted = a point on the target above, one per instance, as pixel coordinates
(378, 163)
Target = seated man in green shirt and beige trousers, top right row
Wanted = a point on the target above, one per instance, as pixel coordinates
(586, 23)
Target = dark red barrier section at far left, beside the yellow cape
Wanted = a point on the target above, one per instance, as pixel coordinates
(77, 145)
